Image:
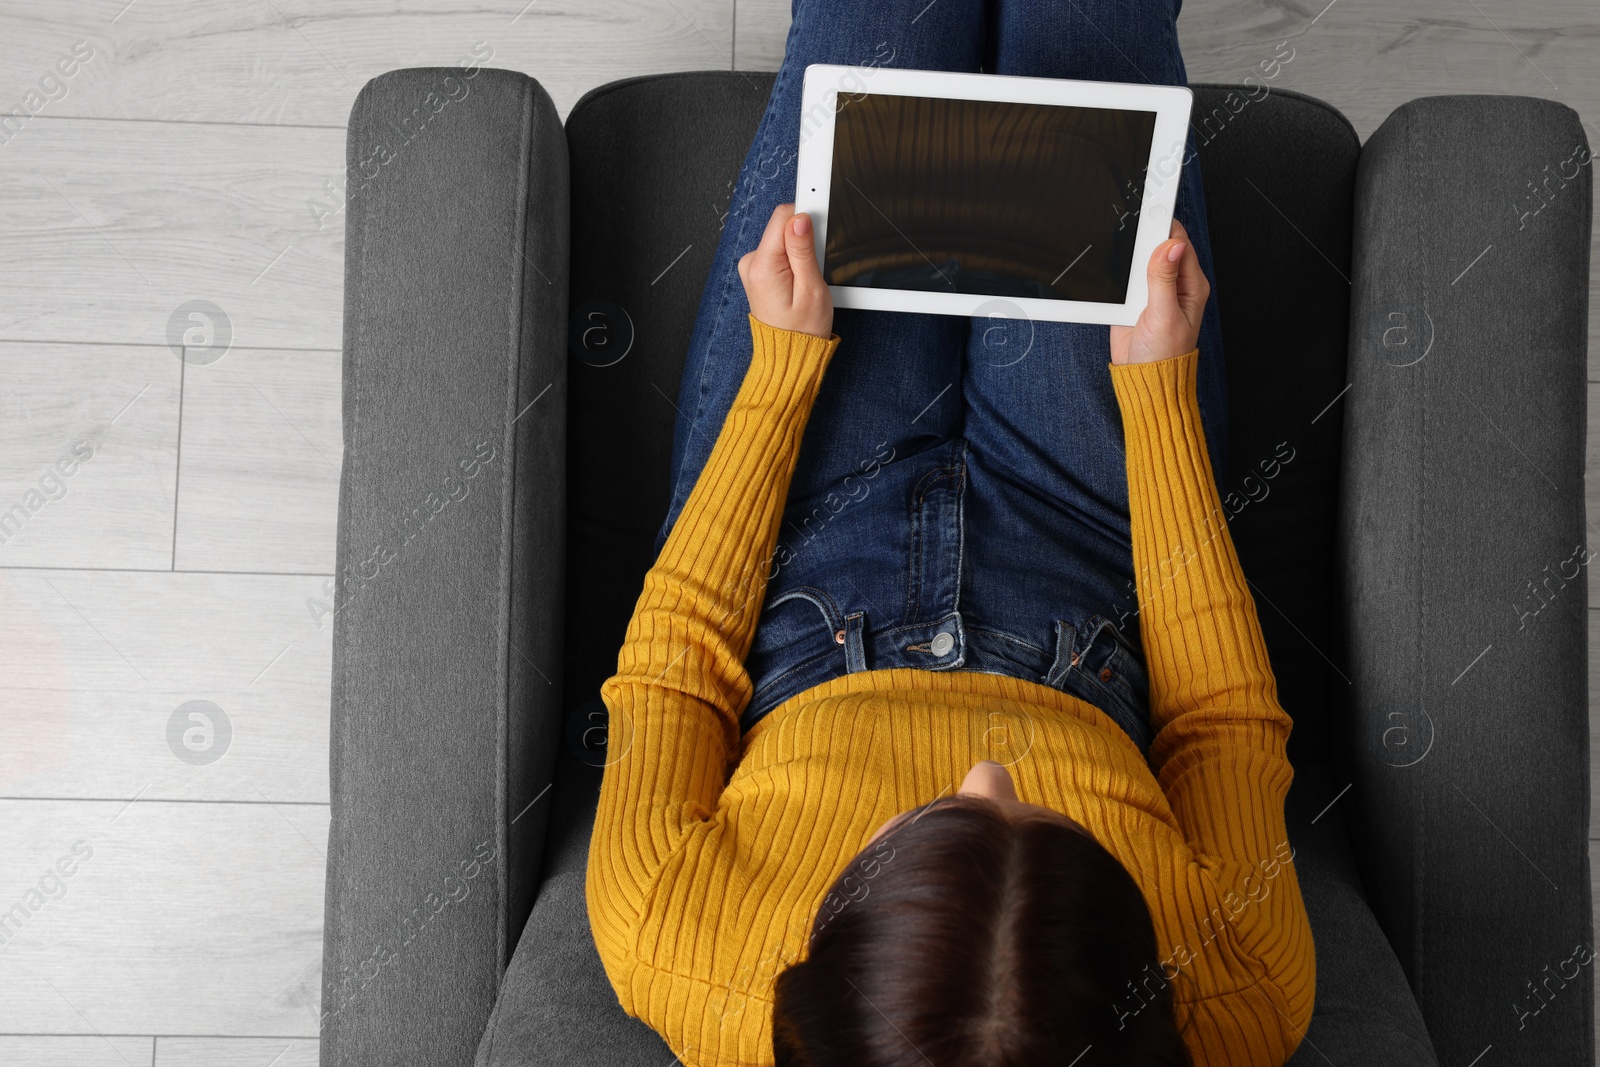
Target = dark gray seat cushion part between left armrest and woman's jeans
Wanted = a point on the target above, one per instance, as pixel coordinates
(654, 169)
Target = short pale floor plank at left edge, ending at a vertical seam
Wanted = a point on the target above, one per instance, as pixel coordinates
(89, 450)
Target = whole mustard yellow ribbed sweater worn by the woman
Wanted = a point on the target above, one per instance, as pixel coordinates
(713, 853)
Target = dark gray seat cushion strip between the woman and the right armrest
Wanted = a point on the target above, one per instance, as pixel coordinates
(1279, 183)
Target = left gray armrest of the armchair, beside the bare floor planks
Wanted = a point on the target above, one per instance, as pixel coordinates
(449, 596)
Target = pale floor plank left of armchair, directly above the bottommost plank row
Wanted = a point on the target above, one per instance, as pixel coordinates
(177, 917)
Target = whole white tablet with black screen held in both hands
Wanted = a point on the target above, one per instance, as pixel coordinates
(961, 194)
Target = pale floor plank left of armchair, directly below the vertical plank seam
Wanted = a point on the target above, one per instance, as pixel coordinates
(95, 666)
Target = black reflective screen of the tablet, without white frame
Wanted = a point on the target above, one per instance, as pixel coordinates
(988, 198)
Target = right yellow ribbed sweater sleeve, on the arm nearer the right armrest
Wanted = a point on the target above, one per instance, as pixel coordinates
(1220, 753)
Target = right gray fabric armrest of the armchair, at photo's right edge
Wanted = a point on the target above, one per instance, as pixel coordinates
(1463, 490)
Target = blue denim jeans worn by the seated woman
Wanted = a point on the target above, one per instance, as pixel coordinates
(961, 498)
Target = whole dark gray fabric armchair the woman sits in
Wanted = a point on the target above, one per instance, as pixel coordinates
(1406, 334)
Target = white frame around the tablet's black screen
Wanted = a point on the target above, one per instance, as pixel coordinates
(815, 170)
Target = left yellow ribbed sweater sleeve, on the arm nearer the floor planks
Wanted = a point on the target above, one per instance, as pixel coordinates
(681, 682)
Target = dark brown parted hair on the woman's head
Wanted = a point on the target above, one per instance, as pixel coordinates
(969, 938)
